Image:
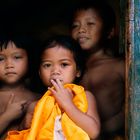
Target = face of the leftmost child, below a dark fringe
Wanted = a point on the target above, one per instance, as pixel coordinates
(13, 64)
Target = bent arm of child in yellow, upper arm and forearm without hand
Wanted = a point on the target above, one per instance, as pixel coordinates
(89, 121)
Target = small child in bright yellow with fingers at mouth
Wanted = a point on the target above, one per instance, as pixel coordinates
(66, 111)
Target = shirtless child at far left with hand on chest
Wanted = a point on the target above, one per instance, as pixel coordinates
(14, 95)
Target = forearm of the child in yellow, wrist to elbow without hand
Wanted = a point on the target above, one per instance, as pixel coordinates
(87, 123)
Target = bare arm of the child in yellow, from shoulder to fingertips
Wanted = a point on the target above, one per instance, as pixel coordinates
(89, 121)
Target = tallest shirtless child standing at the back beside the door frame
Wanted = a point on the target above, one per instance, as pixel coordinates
(93, 28)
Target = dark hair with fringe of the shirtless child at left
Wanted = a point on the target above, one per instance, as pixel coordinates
(25, 42)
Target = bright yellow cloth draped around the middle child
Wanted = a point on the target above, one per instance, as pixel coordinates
(46, 110)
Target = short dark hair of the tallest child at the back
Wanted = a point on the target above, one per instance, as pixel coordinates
(104, 10)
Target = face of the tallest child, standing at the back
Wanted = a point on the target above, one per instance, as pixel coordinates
(87, 28)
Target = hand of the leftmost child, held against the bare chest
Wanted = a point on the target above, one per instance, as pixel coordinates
(15, 109)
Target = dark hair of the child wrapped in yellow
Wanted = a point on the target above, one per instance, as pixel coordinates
(68, 43)
